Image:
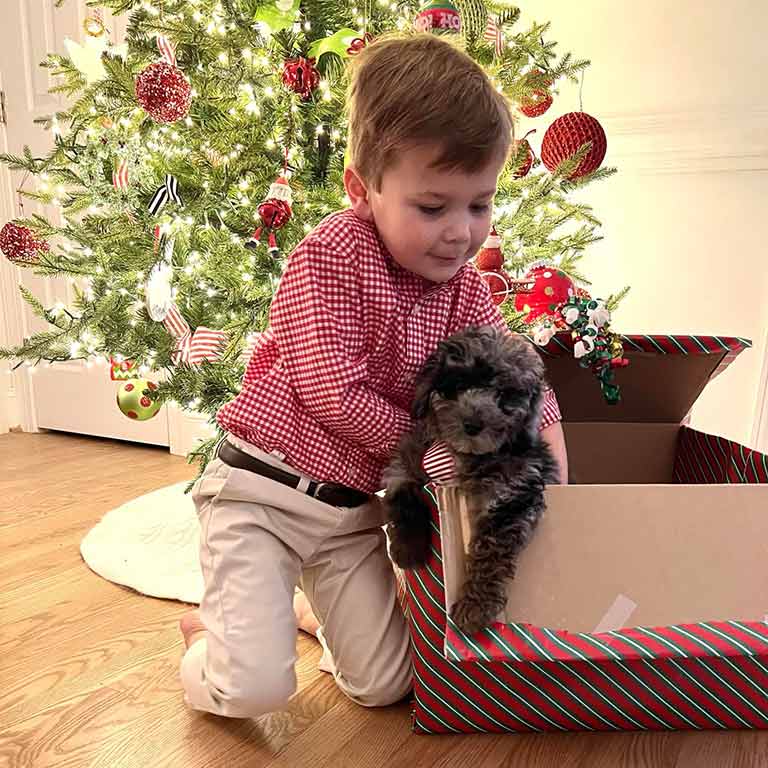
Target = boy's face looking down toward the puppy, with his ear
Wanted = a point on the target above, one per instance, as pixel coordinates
(432, 220)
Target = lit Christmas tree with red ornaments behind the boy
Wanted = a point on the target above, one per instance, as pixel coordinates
(194, 158)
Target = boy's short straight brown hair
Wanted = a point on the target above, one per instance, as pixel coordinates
(416, 90)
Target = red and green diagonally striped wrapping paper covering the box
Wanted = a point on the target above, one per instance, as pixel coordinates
(519, 677)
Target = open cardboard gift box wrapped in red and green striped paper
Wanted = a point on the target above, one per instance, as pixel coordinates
(641, 601)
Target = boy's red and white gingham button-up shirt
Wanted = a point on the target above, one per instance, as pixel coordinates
(329, 385)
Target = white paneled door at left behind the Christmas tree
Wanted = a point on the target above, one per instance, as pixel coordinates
(72, 396)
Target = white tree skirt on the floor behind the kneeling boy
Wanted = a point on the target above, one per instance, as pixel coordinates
(150, 544)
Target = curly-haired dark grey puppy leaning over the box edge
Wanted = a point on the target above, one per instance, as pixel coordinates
(481, 394)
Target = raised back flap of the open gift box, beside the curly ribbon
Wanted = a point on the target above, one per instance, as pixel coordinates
(665, 377)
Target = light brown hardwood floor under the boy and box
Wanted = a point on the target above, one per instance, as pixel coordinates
(89, 670)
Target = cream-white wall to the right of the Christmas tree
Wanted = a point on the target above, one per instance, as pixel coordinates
(681, 91)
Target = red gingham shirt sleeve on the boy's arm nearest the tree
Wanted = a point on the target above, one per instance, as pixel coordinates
(317, 321)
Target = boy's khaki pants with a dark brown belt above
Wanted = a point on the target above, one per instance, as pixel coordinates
(258, 540)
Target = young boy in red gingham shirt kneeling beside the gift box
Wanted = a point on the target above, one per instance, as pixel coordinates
(366, 297)
